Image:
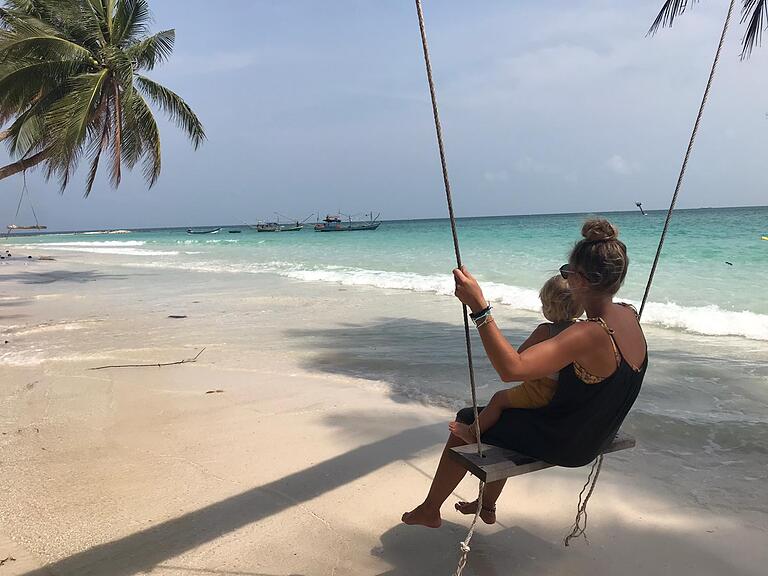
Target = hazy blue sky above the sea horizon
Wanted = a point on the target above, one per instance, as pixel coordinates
(560, 106)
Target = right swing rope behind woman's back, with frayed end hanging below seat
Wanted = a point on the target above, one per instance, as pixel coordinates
(580, 522)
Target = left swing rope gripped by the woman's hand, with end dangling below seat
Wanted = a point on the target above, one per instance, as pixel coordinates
(464, 545)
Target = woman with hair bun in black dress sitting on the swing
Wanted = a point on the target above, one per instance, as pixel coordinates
(601, 364)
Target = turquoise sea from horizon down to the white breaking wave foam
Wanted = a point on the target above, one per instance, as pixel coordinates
(711, 280)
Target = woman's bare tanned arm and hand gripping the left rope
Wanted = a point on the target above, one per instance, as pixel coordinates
(537, 361)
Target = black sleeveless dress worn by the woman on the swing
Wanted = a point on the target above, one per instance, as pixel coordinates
(578, 423)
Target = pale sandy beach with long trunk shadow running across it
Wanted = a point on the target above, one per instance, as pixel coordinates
(294, 468)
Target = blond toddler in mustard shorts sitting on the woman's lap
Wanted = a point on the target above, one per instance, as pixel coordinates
(561, 309)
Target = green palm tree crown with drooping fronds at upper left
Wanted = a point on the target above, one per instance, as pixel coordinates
(71, 87)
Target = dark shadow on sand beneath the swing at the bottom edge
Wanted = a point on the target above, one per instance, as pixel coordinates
(516, 551)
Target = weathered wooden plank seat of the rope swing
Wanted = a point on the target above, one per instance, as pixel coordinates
(499, 463)
